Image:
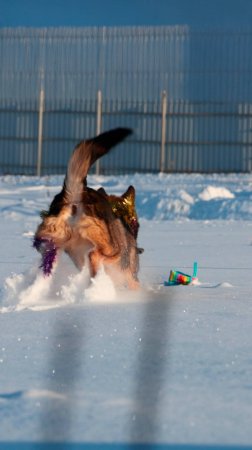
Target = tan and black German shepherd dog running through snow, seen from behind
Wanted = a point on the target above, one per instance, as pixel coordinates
(88, 224)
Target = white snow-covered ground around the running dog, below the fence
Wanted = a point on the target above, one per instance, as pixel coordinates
(81, 362)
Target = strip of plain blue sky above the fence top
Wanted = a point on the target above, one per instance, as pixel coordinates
(196, 13)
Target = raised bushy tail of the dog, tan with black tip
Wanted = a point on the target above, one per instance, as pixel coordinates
(84, 155)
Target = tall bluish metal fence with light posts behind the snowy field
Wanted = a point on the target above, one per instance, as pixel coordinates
(187, 95)
